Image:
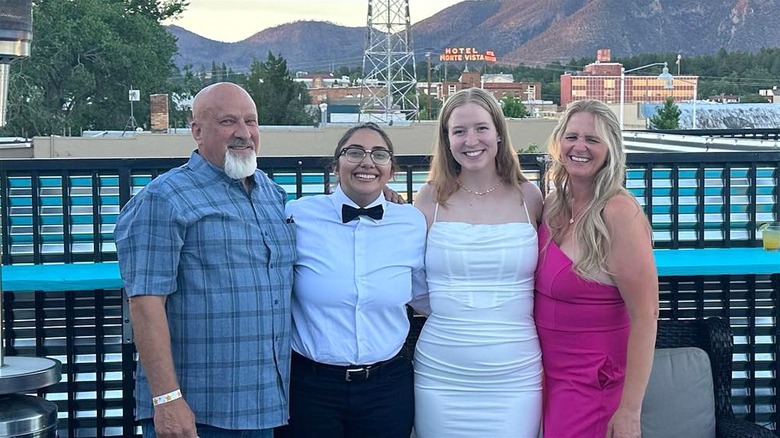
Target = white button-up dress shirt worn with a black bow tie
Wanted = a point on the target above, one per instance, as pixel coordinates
(352, 281)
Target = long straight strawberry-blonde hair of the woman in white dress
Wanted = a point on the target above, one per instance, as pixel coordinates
(445, 170)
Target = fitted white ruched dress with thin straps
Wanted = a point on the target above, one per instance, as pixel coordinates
(478, 365)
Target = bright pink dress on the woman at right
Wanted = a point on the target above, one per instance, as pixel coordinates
(583, 330)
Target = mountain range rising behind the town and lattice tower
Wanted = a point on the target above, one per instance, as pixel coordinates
(518, 31)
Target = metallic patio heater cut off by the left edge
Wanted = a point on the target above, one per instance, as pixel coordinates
(21, 415)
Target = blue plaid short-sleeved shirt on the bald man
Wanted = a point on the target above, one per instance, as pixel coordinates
(224, 258)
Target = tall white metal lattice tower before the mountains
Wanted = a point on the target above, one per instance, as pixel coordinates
(388, 87)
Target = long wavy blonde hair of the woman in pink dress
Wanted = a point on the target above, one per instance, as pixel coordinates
(590, 231)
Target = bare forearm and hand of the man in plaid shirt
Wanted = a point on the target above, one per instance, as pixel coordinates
(173, 419)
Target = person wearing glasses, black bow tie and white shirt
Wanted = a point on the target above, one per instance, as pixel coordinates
(360, 261)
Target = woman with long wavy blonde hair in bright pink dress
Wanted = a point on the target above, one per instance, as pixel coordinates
(596, 301)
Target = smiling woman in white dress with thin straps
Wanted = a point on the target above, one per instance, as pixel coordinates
(478, 368)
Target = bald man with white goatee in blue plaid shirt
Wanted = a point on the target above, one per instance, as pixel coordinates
(206, 257)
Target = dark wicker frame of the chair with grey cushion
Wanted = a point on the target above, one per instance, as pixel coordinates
(713, 335)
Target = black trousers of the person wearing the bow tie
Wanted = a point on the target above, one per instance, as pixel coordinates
(328, 402)
